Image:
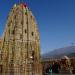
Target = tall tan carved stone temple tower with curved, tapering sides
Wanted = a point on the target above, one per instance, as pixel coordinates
(21, 43)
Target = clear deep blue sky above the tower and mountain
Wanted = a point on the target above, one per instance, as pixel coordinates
(55, 18)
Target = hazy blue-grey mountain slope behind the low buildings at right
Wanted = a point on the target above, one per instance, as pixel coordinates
(58, 53)
